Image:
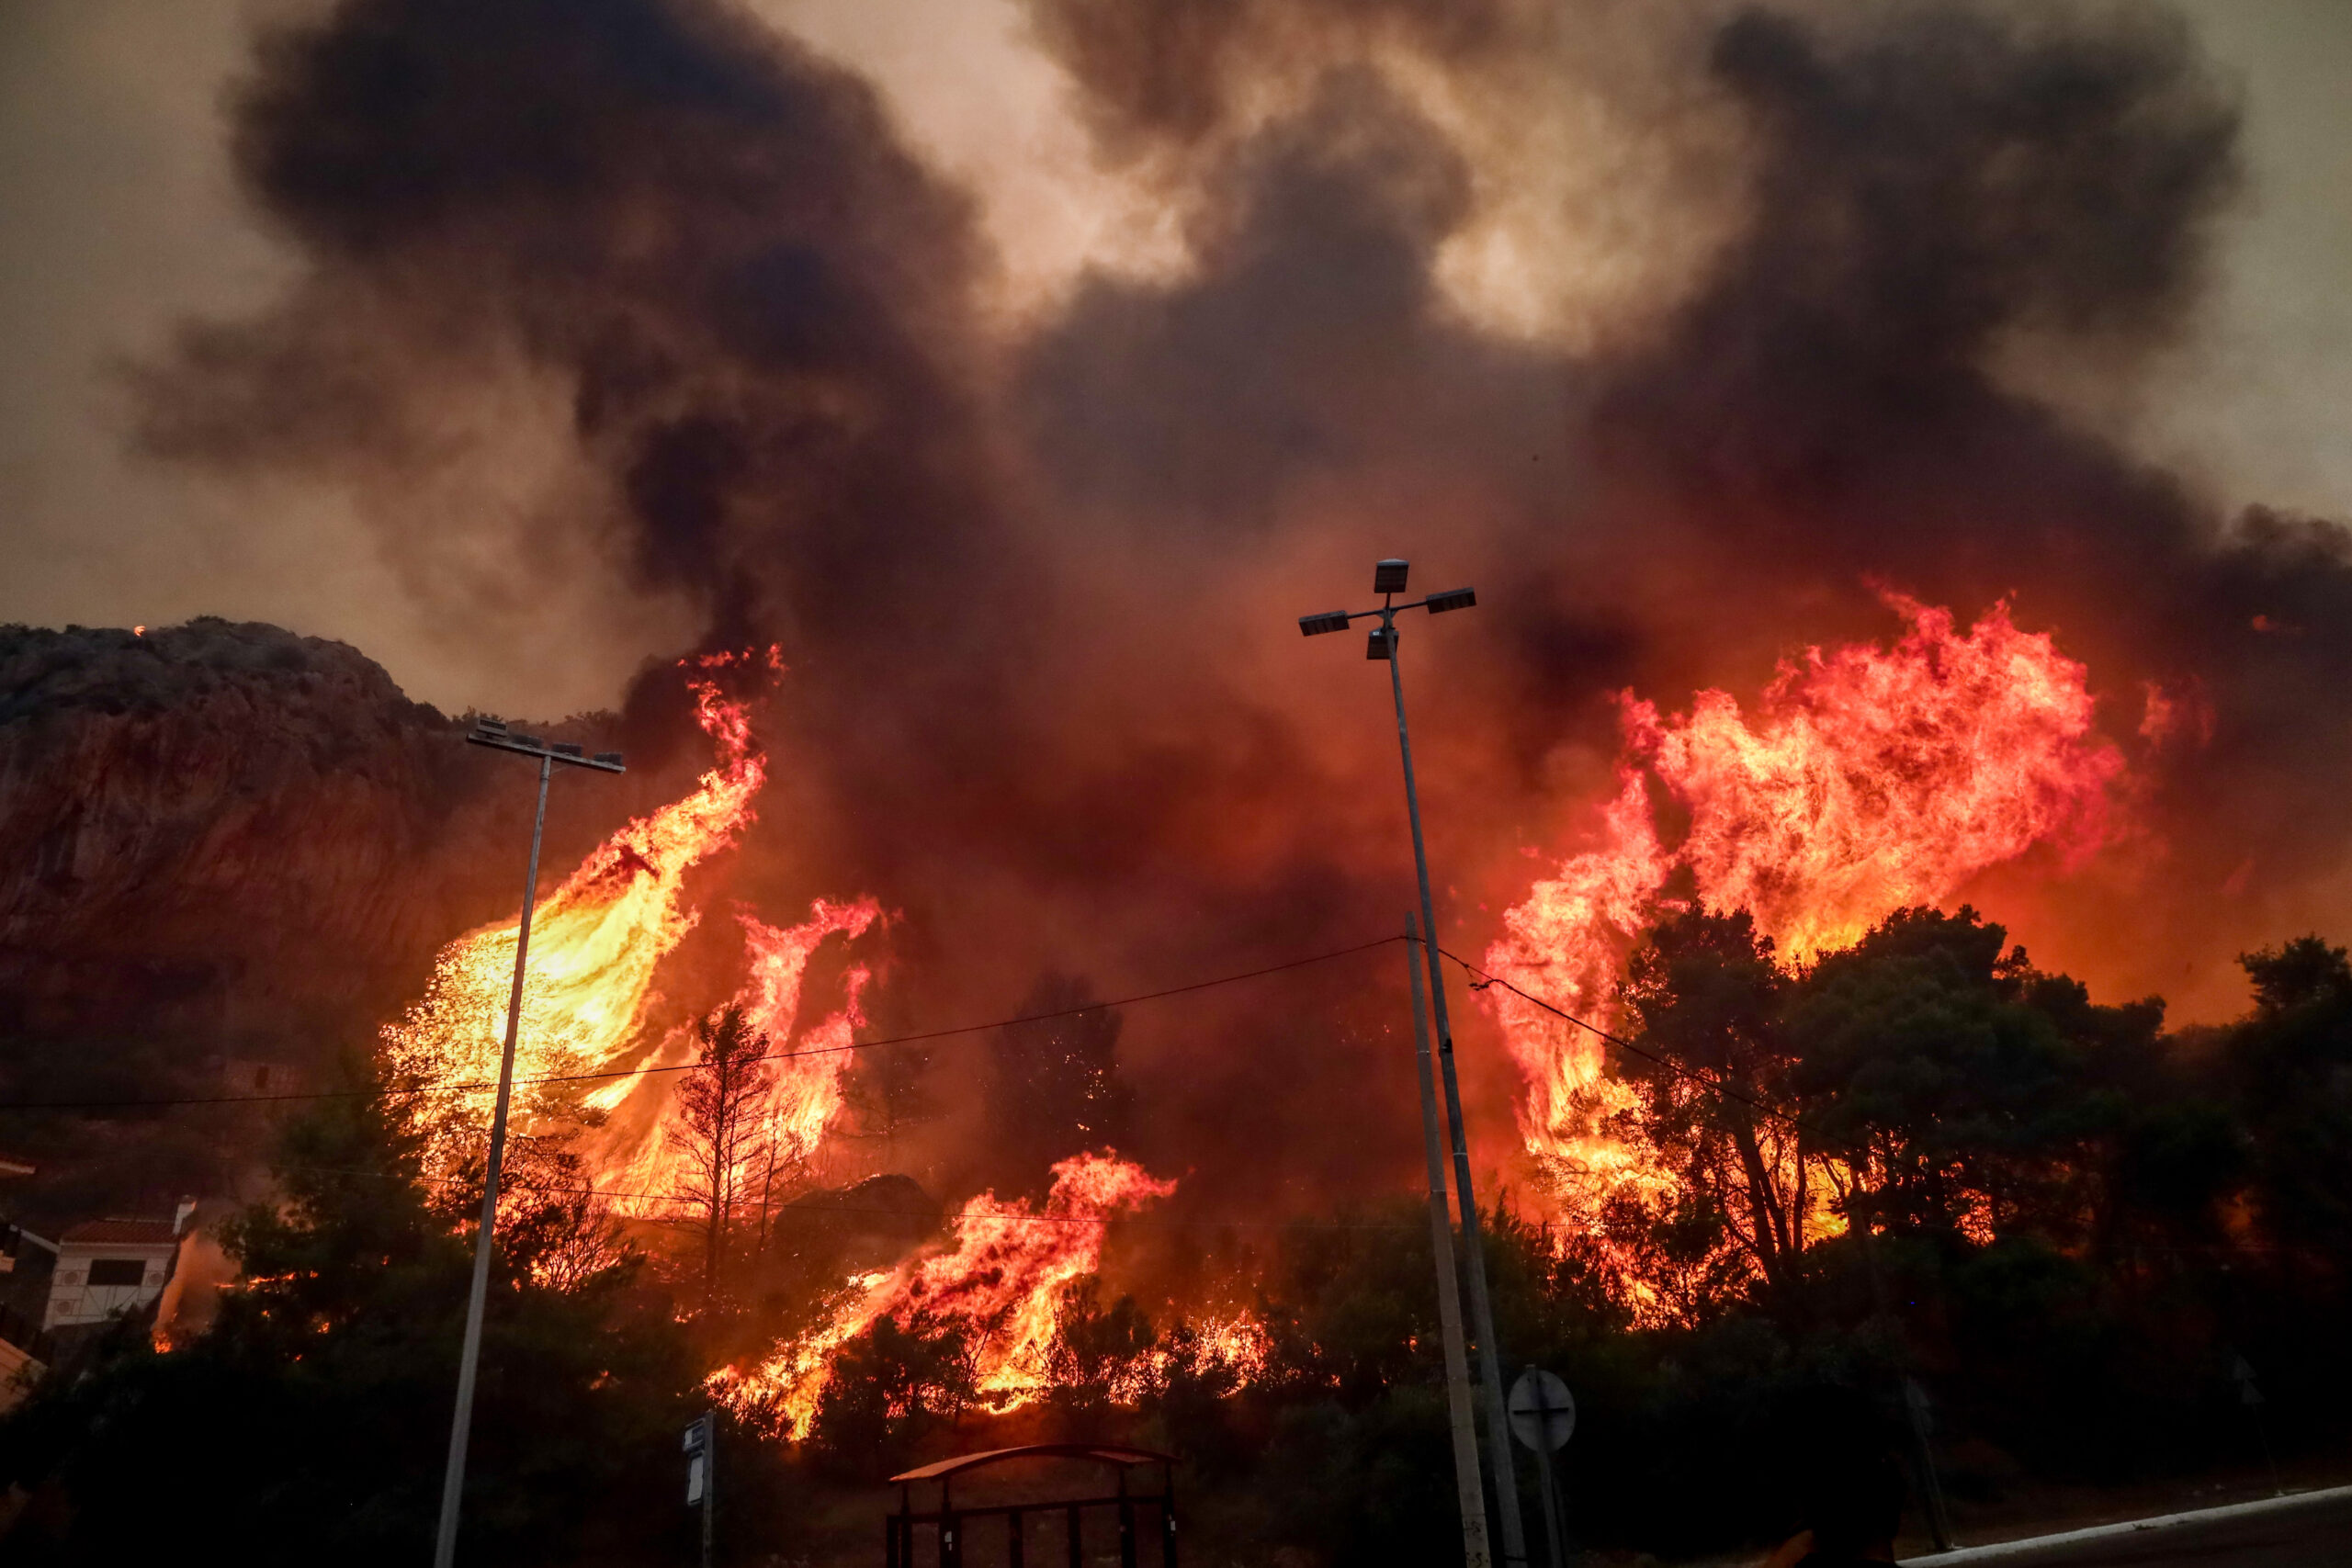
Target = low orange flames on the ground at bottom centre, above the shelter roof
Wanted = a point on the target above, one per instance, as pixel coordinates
(1001, 1278)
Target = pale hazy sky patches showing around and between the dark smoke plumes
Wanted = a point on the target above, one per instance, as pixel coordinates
(121, 220)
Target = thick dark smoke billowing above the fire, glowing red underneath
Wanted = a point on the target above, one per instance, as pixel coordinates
(1038, 594)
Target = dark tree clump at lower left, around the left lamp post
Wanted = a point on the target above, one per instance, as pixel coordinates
(309, 1423)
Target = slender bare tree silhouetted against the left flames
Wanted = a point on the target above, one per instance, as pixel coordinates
(723, 1134)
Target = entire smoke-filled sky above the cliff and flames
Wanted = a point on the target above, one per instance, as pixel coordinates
(1024, 370)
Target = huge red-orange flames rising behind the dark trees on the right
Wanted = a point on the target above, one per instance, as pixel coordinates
(1871, 779)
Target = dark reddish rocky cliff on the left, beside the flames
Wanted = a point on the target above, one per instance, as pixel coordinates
(239, 838)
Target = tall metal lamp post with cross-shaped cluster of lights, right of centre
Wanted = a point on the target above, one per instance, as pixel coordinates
(1389, 582)
